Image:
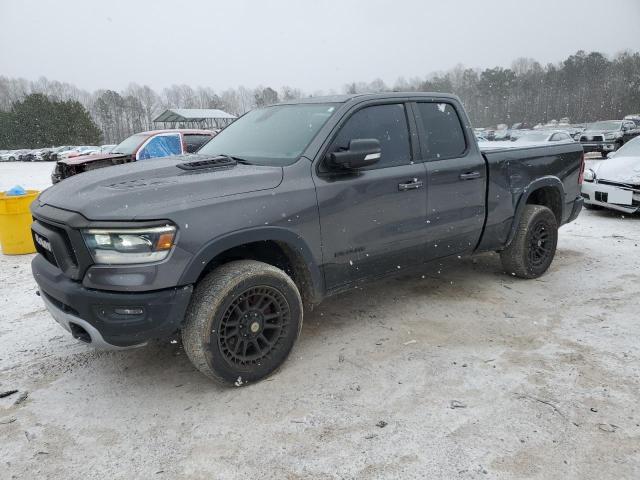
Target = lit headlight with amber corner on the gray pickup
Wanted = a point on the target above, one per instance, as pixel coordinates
(111, 246)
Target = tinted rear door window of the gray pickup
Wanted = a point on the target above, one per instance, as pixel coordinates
(442, 129)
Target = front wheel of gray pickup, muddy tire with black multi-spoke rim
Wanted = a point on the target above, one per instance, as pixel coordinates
(205, 334)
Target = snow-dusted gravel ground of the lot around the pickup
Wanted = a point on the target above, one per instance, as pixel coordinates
(462, 372)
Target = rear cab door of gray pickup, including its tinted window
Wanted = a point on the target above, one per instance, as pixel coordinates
(456, 179)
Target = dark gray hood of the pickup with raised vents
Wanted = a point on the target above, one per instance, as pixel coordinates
(152, 189)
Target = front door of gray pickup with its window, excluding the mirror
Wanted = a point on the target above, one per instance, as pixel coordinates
(372, 220)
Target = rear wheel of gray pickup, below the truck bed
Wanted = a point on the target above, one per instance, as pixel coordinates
(534, 245)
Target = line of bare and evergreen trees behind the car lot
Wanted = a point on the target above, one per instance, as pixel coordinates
(587, 86)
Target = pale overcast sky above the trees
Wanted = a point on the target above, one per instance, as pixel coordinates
(309, 44)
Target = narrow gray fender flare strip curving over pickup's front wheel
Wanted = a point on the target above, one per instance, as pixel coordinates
(235, 239)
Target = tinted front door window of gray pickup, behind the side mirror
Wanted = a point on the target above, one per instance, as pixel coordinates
(387, 123)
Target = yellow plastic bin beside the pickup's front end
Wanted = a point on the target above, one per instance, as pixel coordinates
(15, 223)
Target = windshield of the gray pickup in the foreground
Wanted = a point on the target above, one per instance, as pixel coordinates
(274, 135)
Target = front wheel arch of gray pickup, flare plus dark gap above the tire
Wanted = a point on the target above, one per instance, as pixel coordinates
(273, 245)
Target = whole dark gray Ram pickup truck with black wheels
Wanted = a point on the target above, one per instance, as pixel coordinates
(291, 203)
